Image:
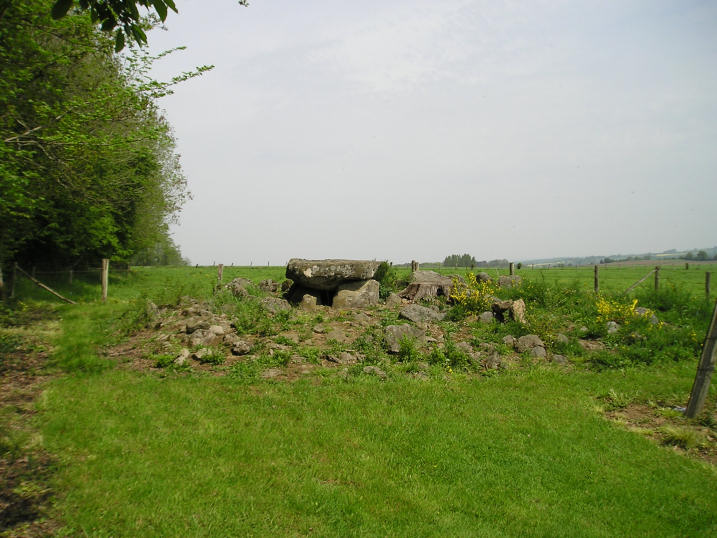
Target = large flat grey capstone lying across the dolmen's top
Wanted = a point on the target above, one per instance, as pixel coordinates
(329, 274)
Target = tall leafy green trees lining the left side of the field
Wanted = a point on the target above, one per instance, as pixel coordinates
(88, 167)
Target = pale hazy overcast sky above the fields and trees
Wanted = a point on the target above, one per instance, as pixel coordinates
(416, 129)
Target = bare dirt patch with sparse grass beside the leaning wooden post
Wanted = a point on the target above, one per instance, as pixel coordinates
(666, 425)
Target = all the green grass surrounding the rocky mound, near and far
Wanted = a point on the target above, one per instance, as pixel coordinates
(526, 451)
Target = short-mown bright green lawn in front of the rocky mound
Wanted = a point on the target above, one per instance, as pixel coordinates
(524, 453)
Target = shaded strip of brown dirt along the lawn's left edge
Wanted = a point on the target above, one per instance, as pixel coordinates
(25, 468)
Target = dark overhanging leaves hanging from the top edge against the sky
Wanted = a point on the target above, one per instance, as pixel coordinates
(120, 16)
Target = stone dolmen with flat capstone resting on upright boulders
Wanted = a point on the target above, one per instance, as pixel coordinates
(337, 283)
